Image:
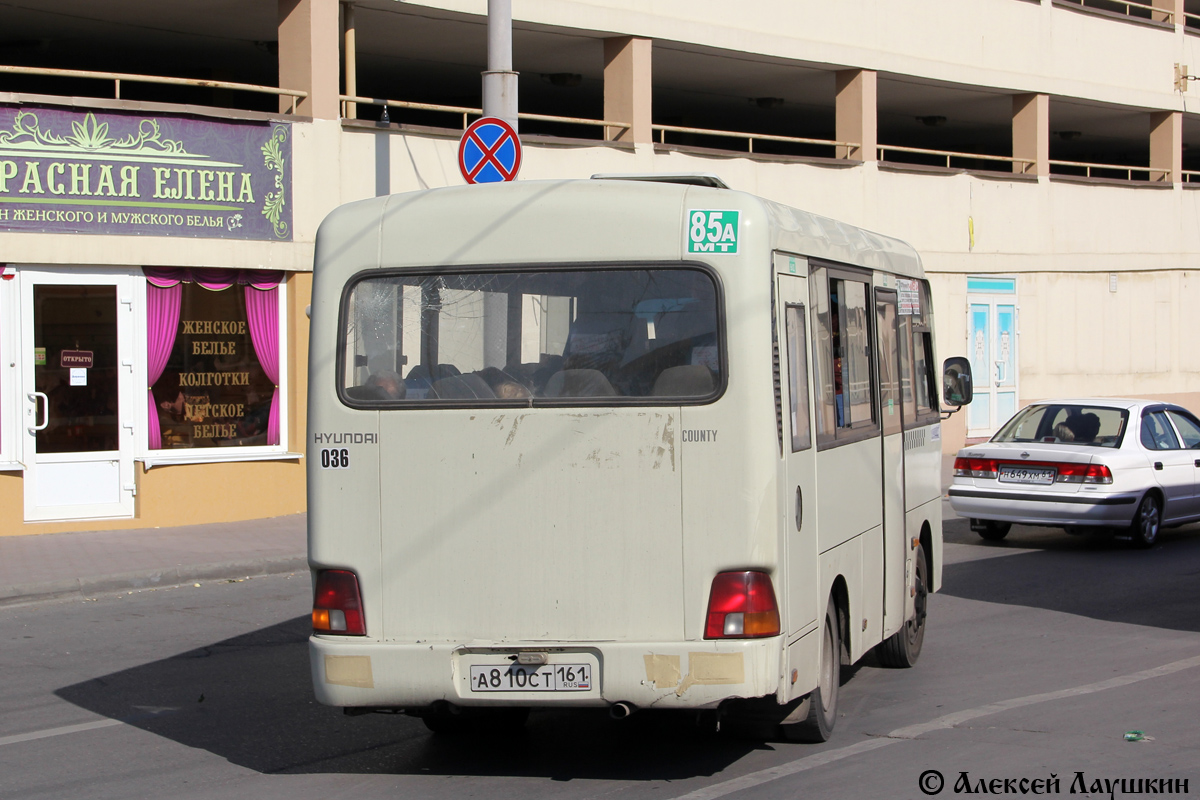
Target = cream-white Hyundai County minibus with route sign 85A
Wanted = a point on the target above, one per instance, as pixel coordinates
(616, 443)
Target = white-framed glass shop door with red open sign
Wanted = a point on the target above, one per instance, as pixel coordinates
(77, 394)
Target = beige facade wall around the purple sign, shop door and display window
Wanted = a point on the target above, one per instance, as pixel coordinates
(1048, 145)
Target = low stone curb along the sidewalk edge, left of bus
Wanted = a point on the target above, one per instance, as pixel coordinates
(154, 579)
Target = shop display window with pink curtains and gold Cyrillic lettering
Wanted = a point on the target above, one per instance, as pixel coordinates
(213, 341)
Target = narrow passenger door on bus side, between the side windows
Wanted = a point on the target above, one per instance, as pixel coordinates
(896, 549)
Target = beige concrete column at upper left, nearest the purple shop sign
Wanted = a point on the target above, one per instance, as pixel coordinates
(309, 34)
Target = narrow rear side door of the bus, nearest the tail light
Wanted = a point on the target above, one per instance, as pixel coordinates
(800, 456)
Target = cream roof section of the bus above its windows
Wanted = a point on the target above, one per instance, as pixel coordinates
(611, 220)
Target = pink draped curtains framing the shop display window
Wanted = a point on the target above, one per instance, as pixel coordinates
(164, 302)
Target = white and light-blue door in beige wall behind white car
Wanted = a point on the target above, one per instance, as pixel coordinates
(993, 345)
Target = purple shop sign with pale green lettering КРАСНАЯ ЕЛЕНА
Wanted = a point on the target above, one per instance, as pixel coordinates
(67, 171)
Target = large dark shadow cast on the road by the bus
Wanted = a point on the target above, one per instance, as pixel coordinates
(249, 700)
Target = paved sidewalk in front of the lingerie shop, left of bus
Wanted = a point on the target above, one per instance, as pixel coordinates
(41, 567)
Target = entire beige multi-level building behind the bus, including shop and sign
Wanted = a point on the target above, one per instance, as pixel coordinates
(165, 166)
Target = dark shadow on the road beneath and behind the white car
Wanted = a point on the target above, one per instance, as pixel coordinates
(1107, 579)
